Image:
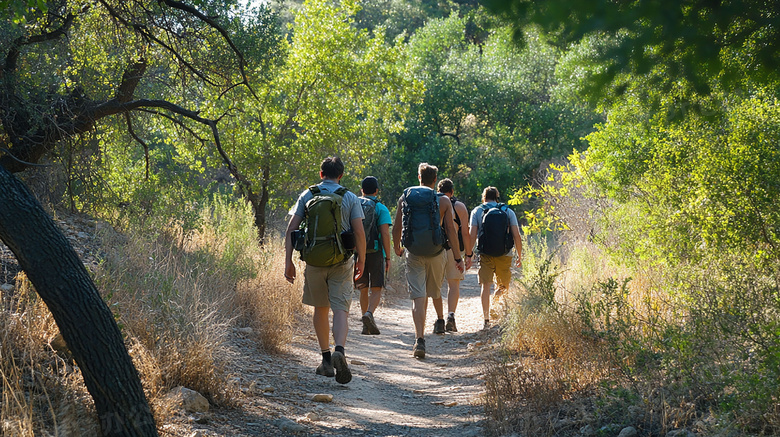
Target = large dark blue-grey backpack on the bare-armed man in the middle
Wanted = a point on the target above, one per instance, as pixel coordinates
(421, 233)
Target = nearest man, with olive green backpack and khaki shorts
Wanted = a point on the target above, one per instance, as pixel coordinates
(332, 228)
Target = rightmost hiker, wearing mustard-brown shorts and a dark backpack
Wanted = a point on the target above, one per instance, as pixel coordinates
(494, 228)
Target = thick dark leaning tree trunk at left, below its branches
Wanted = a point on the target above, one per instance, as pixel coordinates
(85, 321)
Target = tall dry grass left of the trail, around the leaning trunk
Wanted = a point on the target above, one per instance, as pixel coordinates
(177, 296)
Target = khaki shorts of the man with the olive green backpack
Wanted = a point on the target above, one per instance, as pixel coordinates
(329, 286)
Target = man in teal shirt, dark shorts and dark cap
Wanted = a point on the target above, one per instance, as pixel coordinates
(376, 226)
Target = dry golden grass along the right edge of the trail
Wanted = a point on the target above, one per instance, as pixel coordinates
(553, 369)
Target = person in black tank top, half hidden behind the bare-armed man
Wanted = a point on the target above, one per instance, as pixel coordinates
(452, 274)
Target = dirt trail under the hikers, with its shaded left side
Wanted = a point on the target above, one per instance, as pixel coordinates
(391, 393)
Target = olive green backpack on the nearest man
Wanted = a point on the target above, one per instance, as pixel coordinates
(322, 227)
